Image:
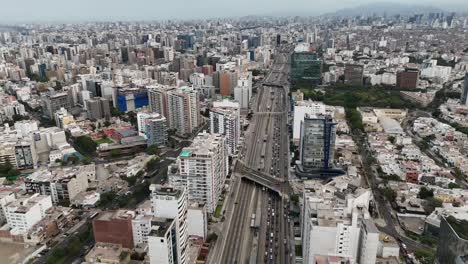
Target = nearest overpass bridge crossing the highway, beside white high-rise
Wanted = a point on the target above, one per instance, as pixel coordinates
(263, 179)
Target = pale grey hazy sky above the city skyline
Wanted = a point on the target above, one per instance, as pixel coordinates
(104, 10)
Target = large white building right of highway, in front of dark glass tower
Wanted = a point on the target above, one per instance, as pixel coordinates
(331, 223)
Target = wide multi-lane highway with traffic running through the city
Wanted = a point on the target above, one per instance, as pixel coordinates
(265, 152)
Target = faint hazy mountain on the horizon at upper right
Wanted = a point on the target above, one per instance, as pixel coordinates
(385, 8)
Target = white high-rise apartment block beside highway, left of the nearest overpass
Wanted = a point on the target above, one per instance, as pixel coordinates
(202, 169)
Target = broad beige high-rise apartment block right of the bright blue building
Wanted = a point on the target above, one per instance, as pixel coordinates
(183, 110)
